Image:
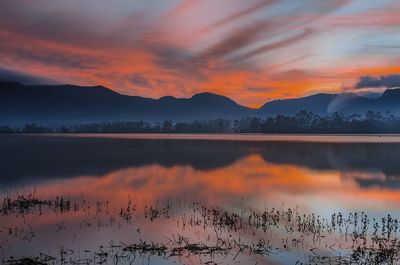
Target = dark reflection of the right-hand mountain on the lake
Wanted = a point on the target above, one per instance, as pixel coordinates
(341, 156)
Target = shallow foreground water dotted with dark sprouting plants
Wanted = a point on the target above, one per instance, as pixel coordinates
(213, 234)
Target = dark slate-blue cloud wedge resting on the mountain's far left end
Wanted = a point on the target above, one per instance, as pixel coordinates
(8, 75)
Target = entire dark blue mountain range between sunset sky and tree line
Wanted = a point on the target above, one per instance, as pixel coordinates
(65, 104)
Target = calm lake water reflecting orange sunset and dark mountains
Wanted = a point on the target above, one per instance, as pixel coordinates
(127, 189)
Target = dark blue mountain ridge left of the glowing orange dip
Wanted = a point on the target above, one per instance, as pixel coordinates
(62, 104)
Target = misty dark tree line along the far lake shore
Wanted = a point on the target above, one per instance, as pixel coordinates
(302, 122)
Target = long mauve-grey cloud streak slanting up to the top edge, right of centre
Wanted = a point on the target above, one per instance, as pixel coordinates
(245, 36)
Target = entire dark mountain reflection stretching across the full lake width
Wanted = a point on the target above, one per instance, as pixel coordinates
(60, 156)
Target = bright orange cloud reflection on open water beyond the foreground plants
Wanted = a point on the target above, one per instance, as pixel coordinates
(250, 178)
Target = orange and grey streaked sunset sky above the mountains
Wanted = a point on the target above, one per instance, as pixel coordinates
(252, 51)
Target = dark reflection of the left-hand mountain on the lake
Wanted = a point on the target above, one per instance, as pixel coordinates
(42, 156)
